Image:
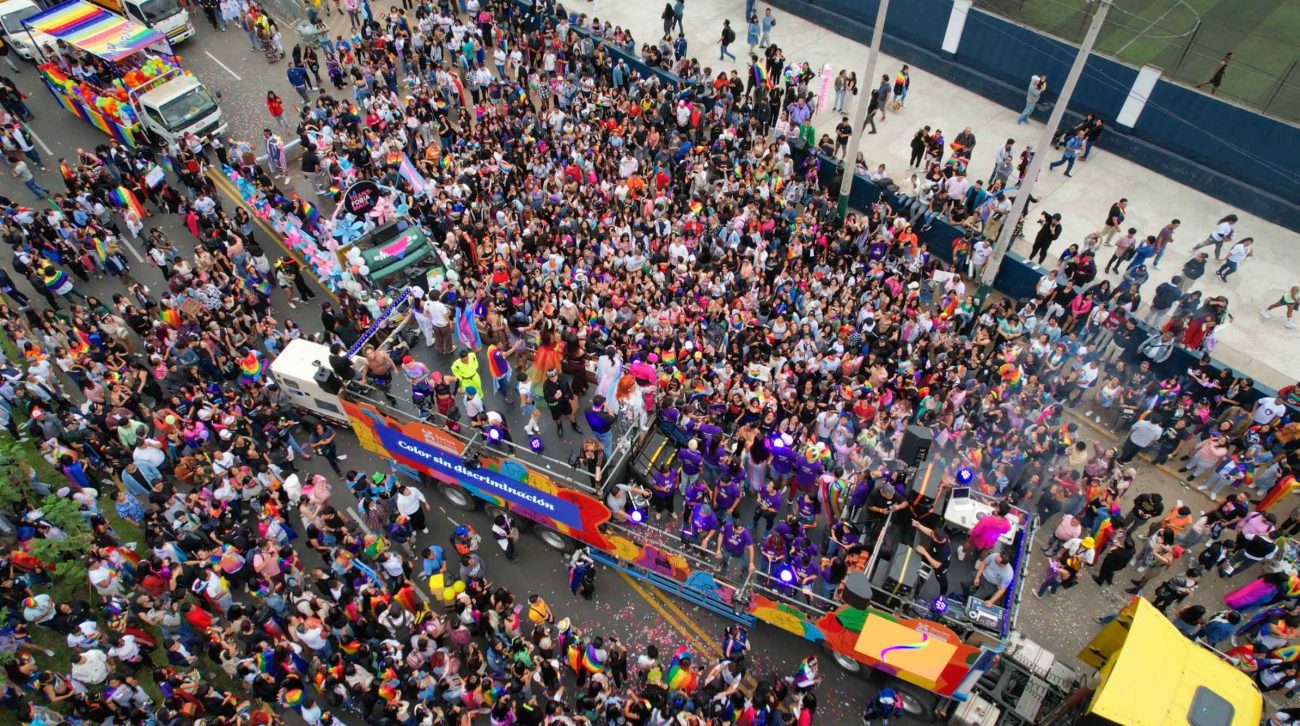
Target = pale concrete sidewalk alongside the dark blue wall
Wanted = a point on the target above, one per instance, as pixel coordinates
(1082, 201)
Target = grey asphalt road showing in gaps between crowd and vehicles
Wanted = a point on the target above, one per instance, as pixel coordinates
(226, 63)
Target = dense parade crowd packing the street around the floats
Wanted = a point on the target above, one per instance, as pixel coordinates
(670, 235)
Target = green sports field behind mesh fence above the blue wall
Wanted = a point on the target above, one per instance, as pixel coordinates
(1188, 44)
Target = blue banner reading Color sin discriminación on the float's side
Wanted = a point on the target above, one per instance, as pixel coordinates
(445, 465)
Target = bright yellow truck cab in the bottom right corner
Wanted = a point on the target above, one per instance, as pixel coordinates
(1154, 676)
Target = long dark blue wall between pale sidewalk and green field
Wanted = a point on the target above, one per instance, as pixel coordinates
(1184, 135)
